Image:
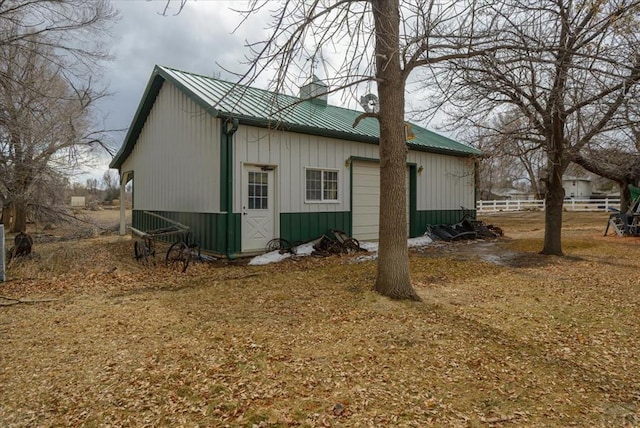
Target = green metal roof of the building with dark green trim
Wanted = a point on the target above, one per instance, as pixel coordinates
(252, 106)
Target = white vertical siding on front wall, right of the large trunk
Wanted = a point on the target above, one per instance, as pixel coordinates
(445, 182)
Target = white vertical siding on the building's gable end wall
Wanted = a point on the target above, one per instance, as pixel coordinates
(176, 160)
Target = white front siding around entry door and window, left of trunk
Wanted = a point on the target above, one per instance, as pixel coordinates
(291, 153)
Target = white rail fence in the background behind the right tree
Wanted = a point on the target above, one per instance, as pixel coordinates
(538, 205)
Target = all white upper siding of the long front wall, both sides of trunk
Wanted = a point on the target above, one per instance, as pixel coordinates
(445, 182)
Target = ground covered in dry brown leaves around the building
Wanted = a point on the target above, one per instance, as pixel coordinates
(504, 337)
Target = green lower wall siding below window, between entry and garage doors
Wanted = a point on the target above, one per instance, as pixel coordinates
(307, 226)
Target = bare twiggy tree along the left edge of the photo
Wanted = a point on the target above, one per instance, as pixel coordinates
(46, 94)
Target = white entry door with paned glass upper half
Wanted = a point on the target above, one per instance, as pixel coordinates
(258, 208)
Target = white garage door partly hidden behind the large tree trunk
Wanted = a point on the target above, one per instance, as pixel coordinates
(365, 200)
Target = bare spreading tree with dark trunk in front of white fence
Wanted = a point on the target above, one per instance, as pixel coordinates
(570, 67)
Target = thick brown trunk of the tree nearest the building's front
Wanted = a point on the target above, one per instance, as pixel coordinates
(393, 278)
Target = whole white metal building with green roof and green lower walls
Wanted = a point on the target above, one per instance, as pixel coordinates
(241, 166)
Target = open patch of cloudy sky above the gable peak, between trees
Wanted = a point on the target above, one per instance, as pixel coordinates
(192, 41)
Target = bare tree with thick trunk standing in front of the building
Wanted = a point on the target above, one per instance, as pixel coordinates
(377, 42)
